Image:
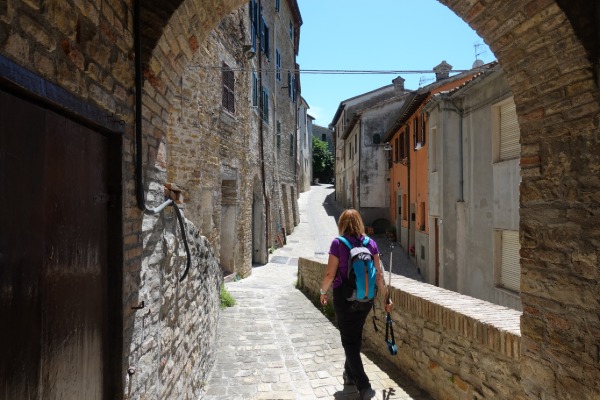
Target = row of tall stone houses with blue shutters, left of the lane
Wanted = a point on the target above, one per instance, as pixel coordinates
(218, 149)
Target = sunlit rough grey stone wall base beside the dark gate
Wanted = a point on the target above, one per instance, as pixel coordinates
(170, 342)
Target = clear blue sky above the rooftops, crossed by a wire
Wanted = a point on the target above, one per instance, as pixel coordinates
(398, 35)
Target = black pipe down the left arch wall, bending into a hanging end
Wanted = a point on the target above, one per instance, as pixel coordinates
(139, 189)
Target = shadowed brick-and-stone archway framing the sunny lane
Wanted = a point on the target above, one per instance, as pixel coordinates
(551, 73)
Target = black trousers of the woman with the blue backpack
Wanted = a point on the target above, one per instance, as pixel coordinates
(351, 316)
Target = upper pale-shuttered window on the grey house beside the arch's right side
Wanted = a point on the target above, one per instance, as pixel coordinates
(506, 131)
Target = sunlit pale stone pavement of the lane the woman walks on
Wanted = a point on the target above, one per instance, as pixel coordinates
(275, 344)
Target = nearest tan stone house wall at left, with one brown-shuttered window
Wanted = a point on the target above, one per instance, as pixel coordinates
(208, 145)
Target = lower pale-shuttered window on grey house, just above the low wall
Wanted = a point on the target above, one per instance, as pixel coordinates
(507, 259)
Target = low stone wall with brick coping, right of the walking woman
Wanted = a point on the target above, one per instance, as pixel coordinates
(451, 345)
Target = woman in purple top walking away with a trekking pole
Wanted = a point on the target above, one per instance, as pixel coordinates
(351, 315)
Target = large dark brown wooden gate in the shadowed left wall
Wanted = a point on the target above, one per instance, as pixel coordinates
(57, 230)
